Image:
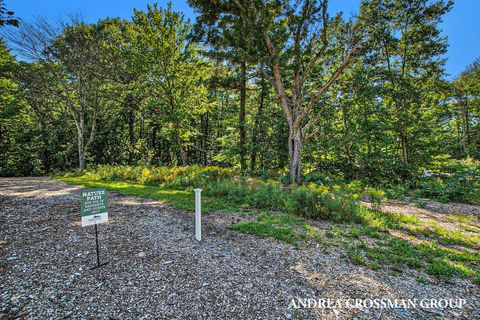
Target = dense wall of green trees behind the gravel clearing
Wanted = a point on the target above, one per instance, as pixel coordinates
(281, 88)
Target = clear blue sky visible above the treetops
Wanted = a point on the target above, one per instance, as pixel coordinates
(461, 25)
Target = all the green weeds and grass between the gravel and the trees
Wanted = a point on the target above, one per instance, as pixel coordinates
(225, 190)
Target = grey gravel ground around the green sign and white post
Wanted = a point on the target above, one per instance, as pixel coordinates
(157, 270)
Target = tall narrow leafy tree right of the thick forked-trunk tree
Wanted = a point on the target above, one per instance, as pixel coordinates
(409, 49)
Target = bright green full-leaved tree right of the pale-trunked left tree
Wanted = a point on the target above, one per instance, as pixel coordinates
(175, 74)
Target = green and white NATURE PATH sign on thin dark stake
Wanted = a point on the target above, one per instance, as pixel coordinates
(94, 211)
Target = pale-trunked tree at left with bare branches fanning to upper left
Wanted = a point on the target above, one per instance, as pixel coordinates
(70, 52)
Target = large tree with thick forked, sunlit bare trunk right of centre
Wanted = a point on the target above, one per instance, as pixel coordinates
(297, 41)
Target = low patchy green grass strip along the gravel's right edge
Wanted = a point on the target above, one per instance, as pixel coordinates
(388, 252)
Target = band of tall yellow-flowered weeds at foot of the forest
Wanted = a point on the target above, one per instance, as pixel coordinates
(226, 186)
